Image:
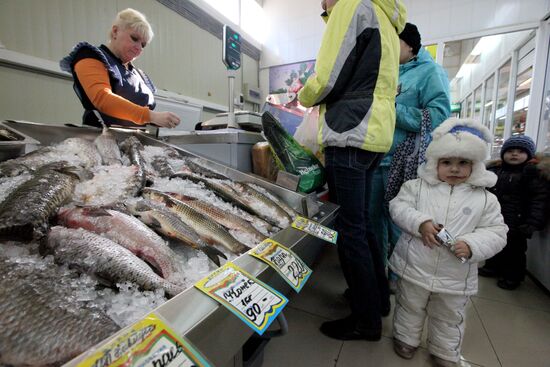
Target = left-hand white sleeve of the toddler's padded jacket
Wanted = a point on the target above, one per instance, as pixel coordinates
(403, 208)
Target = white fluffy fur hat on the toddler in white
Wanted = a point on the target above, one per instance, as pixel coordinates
(460, 138)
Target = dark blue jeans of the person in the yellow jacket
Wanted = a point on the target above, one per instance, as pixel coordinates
(349, 175)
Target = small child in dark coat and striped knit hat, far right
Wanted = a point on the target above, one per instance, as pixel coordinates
(523, 194)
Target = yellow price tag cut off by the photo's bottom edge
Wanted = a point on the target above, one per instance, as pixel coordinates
(149, 342)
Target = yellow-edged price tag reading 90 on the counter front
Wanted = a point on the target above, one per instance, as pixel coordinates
(252, 301)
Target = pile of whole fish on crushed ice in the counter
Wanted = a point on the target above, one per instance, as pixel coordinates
(119, 212)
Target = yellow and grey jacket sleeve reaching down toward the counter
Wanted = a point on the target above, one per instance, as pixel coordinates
(328, 66)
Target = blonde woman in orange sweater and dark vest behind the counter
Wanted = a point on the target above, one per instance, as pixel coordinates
(106, 80)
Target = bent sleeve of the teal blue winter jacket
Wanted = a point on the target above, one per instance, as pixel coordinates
(434, 96)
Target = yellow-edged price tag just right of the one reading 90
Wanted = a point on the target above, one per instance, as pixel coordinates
(293, 270)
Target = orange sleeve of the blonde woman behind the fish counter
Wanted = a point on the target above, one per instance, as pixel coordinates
(95, 81)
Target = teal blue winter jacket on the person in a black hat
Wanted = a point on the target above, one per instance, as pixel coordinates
(422, 84)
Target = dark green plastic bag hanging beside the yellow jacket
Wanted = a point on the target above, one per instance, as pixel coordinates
(291, 157)
